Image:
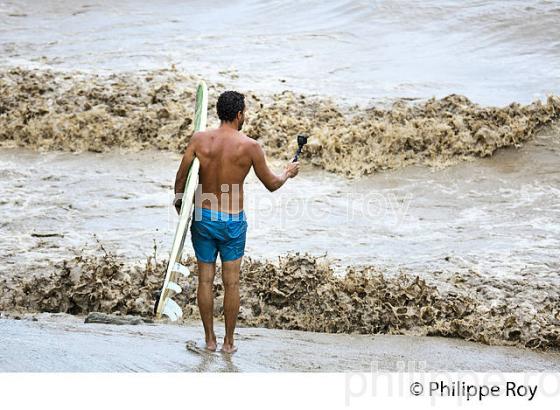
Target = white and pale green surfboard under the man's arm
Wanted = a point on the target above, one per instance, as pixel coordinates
(165, 305)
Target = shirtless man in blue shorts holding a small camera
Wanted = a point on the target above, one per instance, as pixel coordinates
(219, 225)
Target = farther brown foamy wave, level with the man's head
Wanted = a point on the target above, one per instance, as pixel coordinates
(48, 110)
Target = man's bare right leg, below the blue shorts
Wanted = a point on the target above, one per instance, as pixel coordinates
(230, 277)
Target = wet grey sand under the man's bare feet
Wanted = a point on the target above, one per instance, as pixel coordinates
(63, 343)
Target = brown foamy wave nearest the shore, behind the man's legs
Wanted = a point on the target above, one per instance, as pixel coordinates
(302, 292)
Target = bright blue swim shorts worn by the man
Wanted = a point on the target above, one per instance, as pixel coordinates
(213, 232)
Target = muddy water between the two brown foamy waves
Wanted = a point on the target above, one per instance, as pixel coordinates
(498, 216)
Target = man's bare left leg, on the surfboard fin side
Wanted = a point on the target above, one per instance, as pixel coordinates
(205, 299)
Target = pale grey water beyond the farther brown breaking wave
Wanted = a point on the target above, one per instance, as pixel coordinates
(494, 52)
